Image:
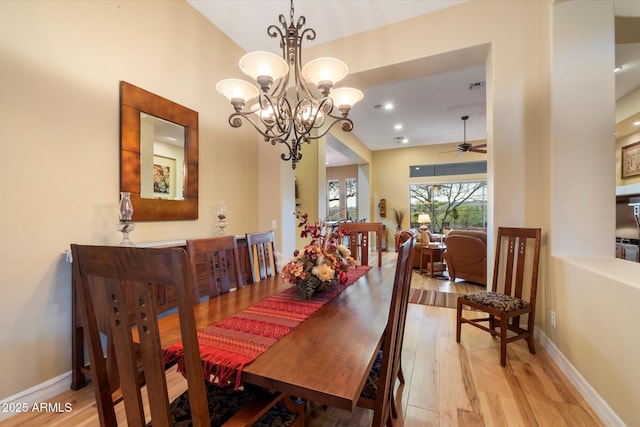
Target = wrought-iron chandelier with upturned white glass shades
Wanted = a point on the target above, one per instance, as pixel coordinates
(295, 104)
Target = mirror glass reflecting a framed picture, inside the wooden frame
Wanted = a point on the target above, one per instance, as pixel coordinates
(161, 158)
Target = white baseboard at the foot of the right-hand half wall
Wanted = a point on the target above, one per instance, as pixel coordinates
(597, 403)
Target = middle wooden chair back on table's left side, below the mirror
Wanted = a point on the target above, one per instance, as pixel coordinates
(216, 262)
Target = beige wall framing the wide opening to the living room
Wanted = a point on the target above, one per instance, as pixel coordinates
(517, 86)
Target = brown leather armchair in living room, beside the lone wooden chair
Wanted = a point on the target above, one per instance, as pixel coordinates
(466, 255)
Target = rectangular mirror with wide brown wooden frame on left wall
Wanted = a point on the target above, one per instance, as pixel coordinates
(158, 156)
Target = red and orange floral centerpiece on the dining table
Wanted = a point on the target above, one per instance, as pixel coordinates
(322, 264)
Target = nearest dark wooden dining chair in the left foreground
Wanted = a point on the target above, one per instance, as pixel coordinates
(123, 279)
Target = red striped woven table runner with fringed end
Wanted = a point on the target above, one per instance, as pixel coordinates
(227, 346)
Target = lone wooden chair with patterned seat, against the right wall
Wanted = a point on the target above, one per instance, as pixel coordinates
(513, 291)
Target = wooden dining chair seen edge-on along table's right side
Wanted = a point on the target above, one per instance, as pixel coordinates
(378, 392)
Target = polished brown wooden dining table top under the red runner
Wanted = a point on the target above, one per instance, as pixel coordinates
(327, 357)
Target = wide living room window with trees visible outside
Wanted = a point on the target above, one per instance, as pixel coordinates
(449, 205)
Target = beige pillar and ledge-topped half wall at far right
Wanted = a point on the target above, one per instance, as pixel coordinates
(595, 296)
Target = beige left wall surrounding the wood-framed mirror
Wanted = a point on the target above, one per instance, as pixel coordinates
(61, 67)
